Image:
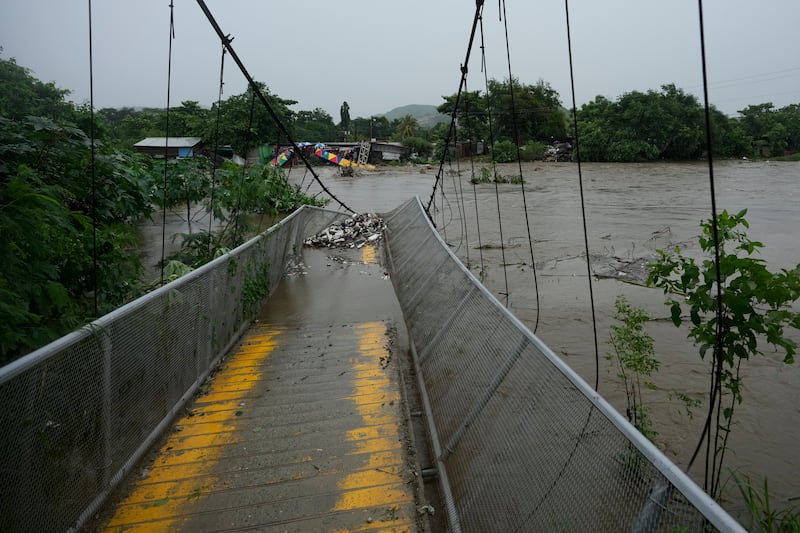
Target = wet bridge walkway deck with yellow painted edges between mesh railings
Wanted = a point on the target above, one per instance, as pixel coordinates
(301, 428)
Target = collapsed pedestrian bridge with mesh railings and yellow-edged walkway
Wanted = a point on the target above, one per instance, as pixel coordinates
(230, 400)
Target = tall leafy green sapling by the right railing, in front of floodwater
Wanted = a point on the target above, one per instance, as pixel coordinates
(754, 309)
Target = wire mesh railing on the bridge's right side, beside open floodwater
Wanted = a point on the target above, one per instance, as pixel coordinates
(521, 442)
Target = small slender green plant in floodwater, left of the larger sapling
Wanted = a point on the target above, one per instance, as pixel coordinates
(634, 354)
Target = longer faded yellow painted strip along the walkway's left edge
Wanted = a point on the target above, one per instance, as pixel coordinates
(183, 486)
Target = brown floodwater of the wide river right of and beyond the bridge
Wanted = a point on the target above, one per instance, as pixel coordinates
(631, 210)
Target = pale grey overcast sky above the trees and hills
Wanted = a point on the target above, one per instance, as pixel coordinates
(378, 55)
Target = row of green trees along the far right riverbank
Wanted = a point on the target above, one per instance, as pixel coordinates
(664, 124)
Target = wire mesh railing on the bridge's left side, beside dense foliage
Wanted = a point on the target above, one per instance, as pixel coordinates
(78, 413)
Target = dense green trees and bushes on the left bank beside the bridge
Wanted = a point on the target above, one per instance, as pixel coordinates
(68, 241)
